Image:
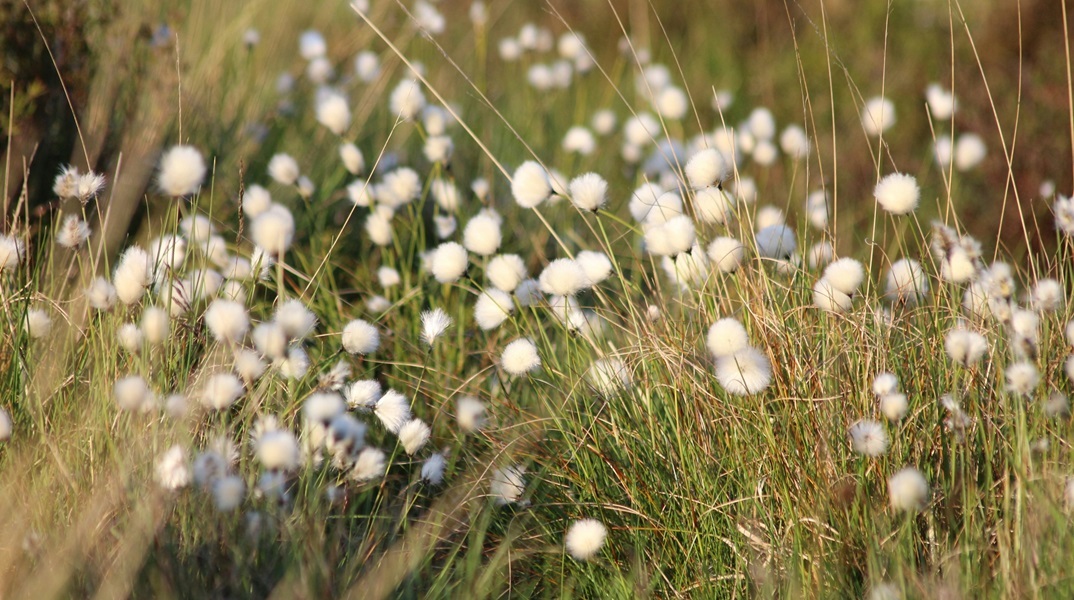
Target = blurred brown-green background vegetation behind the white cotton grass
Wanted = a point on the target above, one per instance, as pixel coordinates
(133, 70)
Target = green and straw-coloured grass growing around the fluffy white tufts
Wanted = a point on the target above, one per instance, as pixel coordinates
(704, 493)
